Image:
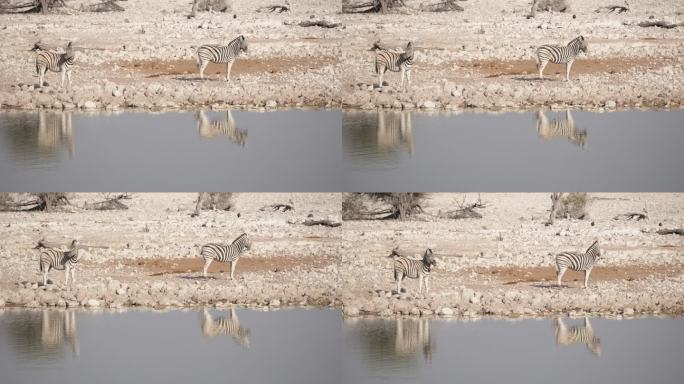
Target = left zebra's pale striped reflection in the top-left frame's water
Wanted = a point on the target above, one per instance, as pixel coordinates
(55, 130)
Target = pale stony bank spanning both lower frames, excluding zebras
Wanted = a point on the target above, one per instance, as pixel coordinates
(500, 264)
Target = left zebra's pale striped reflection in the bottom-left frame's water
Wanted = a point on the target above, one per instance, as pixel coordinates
(58, 326)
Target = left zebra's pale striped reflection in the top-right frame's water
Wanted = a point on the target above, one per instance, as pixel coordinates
(395, 130)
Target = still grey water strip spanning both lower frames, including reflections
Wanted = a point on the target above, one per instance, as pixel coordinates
(317, 346)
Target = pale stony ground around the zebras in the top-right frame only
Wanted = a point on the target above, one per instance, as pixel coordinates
(484, 57)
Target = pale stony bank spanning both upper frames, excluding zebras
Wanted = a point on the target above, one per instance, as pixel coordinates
(482, 57)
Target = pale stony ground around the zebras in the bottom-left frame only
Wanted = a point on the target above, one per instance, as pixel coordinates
(148, 255)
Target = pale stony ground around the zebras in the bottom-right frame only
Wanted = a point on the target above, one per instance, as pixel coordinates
(502, 264)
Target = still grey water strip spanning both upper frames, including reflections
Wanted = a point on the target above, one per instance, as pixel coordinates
(336, 151)
